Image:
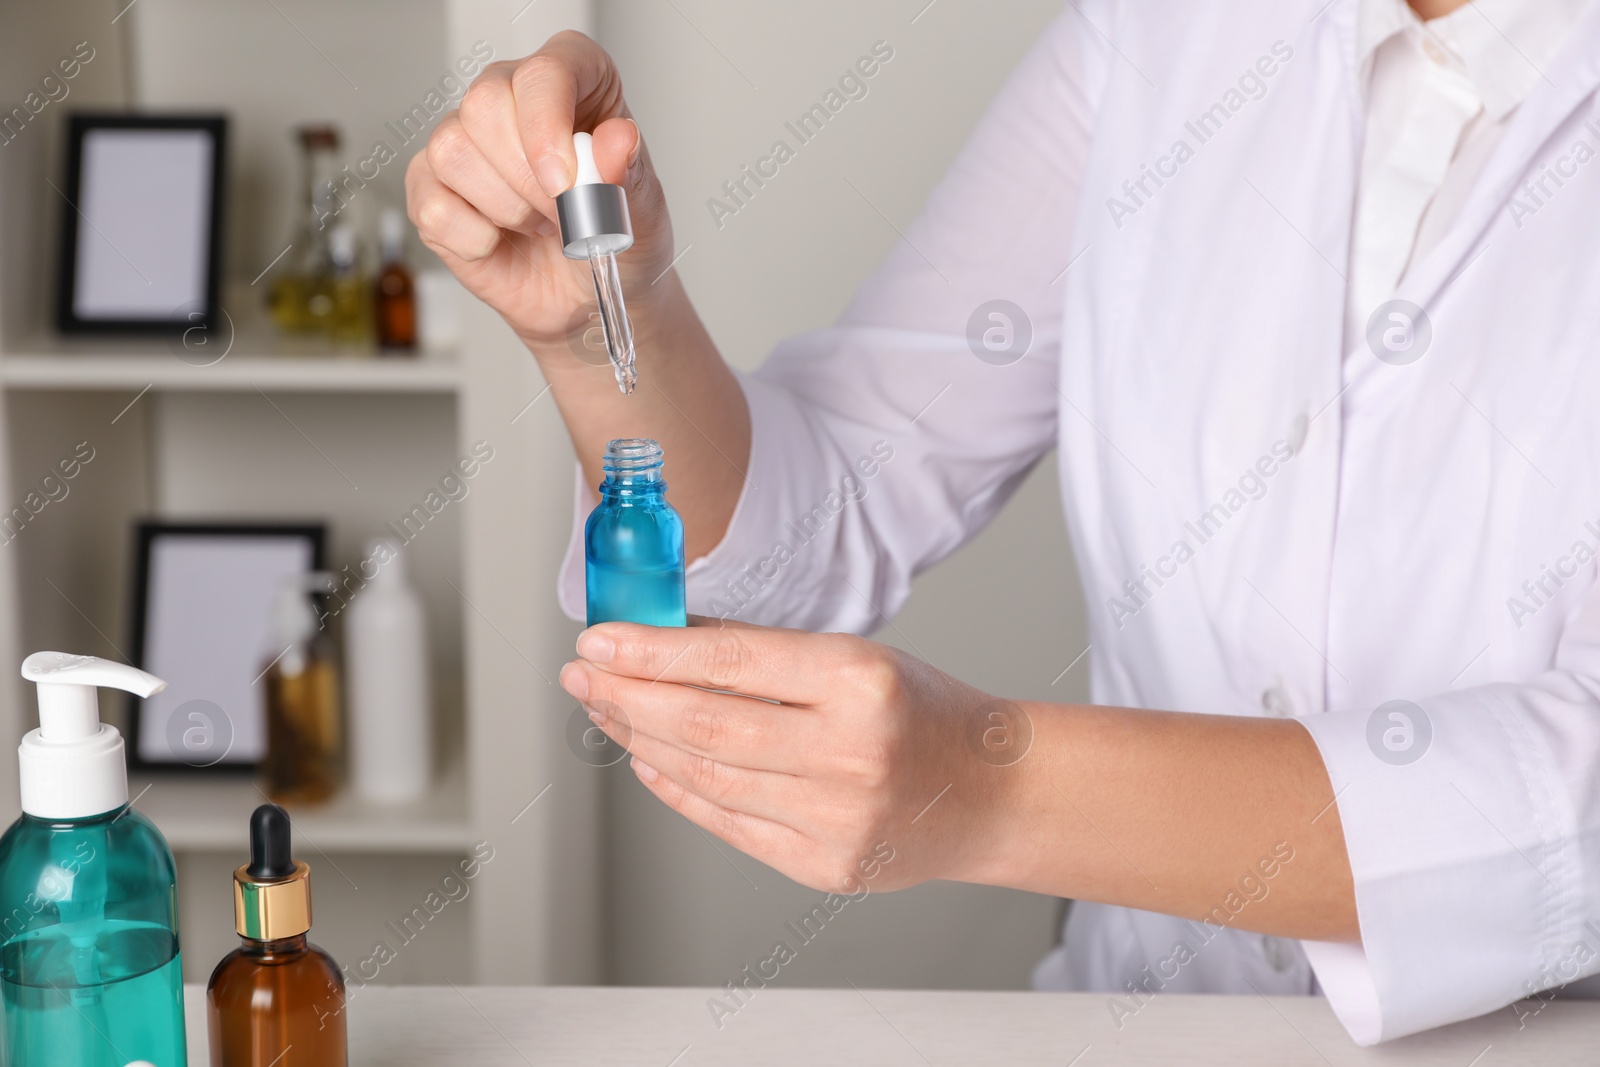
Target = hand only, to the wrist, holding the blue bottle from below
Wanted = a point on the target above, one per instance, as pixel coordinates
(854, 754)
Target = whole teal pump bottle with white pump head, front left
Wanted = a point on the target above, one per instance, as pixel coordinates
(89, 909)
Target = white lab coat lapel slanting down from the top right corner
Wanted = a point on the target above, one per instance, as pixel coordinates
(1561, 89)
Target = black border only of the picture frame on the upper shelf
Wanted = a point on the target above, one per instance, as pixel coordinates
(74, 222)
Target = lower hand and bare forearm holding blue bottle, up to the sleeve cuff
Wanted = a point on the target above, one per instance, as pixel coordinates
(847, 762)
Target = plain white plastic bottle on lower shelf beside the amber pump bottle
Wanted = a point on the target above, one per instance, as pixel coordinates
(391, 698)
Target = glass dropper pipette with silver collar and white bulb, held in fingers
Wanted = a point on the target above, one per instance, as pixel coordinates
(596, 228)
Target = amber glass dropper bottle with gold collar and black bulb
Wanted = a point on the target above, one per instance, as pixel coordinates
(276, 999)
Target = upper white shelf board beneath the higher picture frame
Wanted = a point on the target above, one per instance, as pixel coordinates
(266, 364)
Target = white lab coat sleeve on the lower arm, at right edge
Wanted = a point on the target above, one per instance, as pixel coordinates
(1478, 866)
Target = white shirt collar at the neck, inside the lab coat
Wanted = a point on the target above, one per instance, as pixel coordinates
(1505, 47)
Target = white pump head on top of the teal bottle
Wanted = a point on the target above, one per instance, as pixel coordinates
(74, 767)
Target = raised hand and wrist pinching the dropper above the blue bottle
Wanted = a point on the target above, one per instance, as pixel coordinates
(482, 194)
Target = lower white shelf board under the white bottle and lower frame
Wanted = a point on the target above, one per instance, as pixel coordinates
(212, 813)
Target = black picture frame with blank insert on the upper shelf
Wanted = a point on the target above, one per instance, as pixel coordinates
(142, 228)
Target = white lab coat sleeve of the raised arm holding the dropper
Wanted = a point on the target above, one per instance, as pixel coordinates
(886, 442)
